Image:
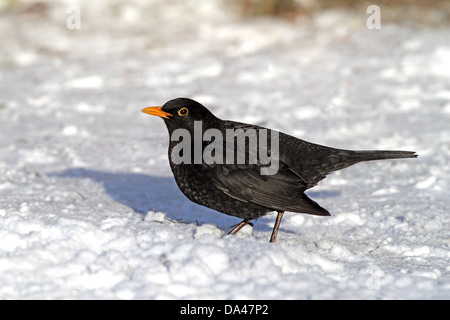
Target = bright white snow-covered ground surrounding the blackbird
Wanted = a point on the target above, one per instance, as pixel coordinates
(88, 205)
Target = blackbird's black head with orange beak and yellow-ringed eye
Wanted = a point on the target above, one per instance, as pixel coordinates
(181, 113)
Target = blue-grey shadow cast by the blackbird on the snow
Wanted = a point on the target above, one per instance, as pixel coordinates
(143, 193)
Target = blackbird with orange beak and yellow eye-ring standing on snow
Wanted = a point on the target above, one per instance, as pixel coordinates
(242, 188)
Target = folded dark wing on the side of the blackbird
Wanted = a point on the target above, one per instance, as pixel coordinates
(283, 191)
